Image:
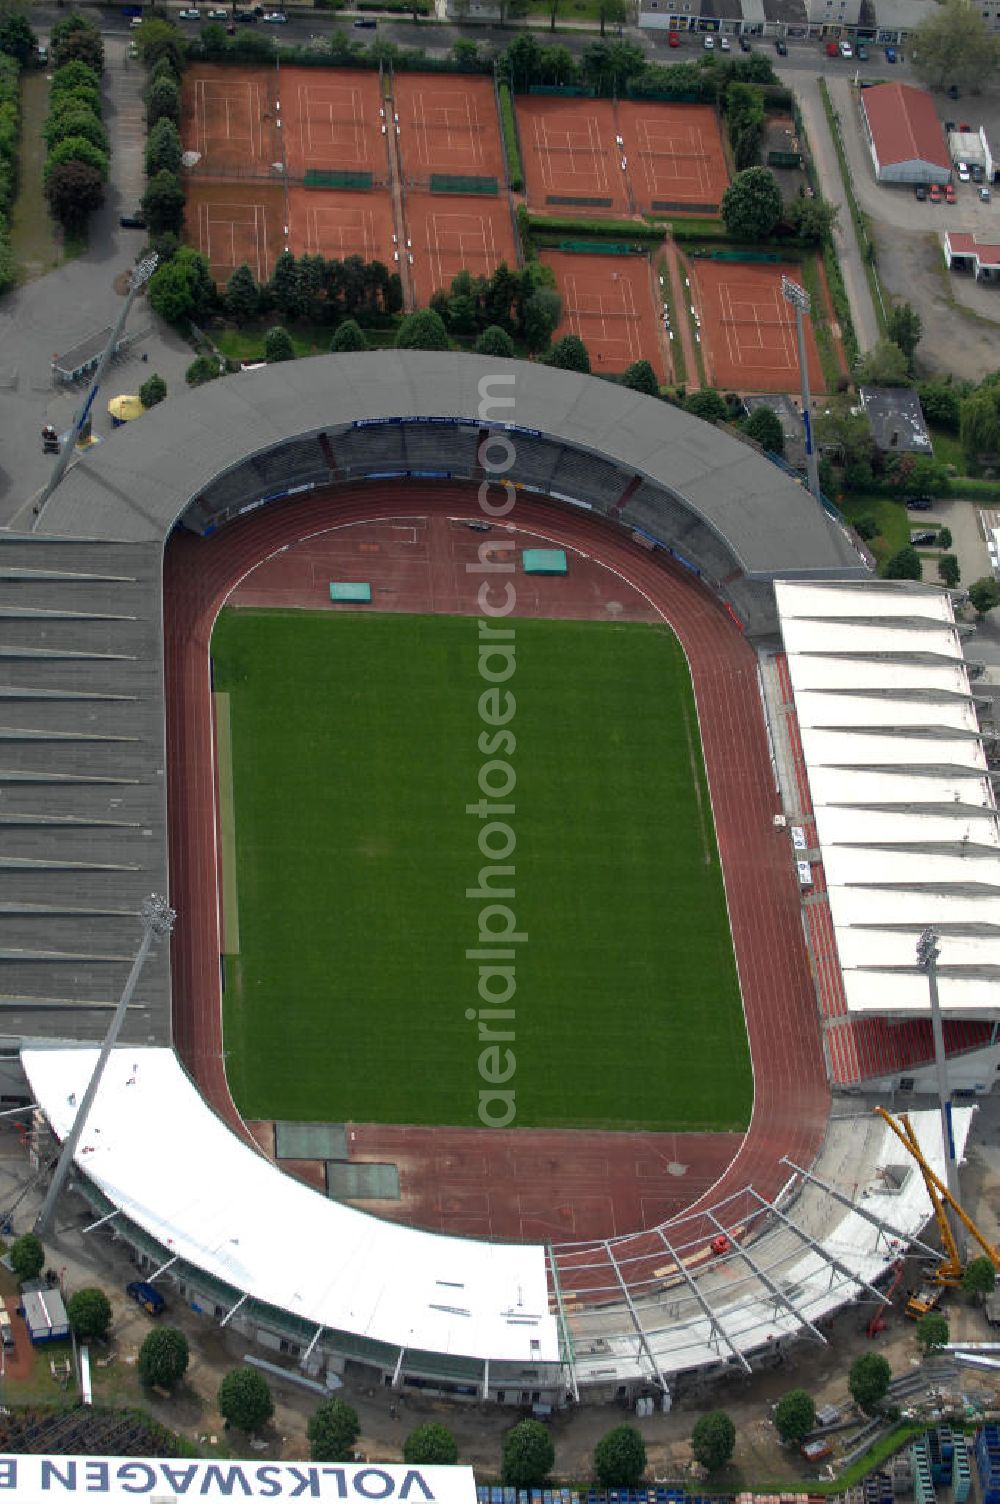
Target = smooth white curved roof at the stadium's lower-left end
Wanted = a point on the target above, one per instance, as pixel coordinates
(162, 1156)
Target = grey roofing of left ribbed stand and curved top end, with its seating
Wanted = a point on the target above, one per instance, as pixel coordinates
(83, 822)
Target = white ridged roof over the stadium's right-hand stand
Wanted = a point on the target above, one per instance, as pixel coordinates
(906, 817)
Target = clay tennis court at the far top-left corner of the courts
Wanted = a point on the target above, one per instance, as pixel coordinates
(229, 118)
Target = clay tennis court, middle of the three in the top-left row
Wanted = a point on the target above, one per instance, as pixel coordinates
(332, 121)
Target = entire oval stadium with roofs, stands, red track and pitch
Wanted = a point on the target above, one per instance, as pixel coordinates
(844, 775)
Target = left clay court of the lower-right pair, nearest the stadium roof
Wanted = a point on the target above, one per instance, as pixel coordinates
(608, 302)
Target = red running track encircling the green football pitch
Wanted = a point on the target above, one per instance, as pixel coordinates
(571, 1189)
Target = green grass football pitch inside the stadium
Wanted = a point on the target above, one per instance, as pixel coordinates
(354, 754)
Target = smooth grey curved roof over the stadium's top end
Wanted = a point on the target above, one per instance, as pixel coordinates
(138, 487)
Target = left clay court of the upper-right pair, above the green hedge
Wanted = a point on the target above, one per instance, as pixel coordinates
(571, 156)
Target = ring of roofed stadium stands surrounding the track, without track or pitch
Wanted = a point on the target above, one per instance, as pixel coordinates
(751, 1267)
